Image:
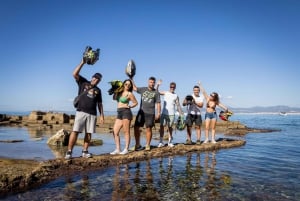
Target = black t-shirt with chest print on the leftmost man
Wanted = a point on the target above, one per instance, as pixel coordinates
(91, 96)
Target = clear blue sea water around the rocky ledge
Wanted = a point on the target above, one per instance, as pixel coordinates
(266, 168)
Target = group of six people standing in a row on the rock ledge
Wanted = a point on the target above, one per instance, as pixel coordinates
(150, 110)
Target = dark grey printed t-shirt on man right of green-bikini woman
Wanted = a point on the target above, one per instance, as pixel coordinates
(148, 99)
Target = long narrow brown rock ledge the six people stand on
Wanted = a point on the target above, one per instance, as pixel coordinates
(20, 175)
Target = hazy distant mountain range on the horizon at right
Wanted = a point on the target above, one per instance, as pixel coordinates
(270, 109)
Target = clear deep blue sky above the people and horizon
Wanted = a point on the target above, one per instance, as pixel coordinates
(248, 51)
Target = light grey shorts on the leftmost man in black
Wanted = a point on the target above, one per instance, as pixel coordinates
(84, 122)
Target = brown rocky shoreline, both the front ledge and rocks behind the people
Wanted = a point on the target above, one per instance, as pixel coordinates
(19, 175)
